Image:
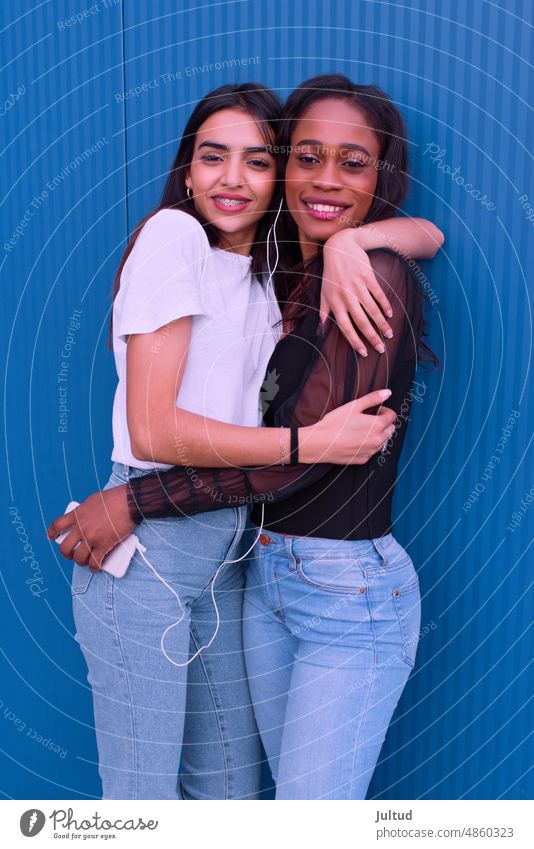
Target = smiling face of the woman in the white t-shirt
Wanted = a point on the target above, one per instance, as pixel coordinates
(232, 176)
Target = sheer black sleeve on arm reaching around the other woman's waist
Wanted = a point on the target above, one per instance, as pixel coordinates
(335, 375)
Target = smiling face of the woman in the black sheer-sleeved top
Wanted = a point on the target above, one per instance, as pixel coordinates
(332, 170)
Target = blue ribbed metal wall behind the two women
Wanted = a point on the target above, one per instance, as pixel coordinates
(462, 74)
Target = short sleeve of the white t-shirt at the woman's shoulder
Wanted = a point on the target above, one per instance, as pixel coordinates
(162, 278)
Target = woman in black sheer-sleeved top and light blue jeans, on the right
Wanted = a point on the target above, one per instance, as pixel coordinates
(332, 611)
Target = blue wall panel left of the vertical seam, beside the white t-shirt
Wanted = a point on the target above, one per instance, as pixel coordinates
(63, 177)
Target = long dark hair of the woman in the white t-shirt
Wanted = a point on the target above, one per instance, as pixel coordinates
(265, 106)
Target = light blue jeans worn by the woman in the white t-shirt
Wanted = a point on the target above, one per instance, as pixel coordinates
(150, 716)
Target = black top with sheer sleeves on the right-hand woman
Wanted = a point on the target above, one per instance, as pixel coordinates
(312, 371)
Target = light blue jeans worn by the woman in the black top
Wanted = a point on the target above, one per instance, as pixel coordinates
(330, 631)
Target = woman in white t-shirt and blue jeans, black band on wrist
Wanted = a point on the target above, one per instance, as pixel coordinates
(193, 330)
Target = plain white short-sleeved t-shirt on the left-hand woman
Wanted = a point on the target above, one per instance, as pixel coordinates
(173, 272)
